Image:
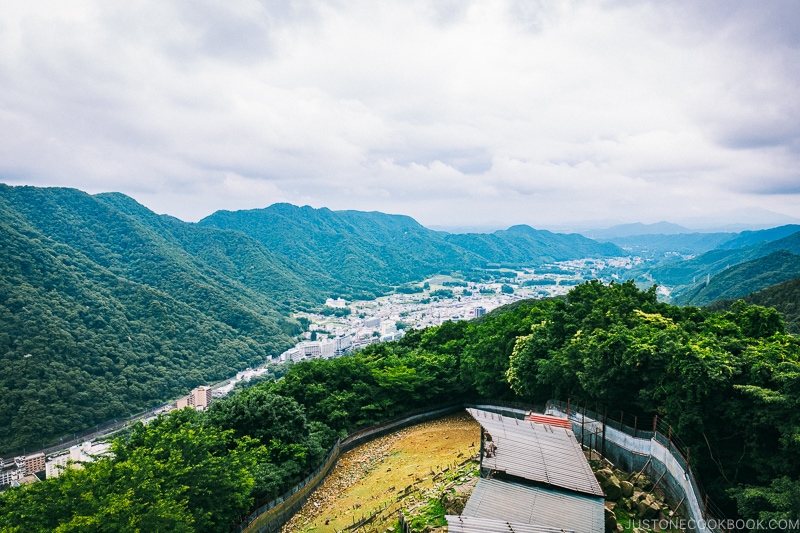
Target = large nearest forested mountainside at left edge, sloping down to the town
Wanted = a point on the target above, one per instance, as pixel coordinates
(113, 316)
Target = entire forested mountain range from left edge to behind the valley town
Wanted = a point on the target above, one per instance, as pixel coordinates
(108, 308)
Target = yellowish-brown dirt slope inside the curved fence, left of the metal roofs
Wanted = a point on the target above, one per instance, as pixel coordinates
(389, 473)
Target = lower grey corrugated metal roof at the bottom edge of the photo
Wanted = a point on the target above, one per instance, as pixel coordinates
(502, 500)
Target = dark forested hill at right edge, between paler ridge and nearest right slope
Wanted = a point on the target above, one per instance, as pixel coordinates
(746, 278)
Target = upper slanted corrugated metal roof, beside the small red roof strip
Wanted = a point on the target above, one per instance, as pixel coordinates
(537, 452)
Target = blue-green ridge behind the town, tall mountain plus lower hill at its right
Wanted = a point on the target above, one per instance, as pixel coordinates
(370, 252)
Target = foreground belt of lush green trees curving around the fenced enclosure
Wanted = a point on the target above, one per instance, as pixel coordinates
(725, 381)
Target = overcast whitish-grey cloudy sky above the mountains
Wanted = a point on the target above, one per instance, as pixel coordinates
(458, 113)
